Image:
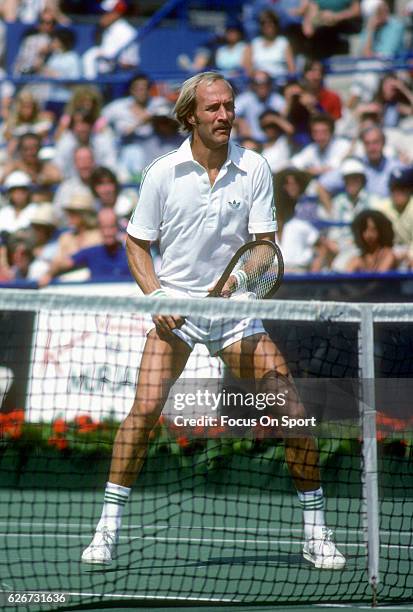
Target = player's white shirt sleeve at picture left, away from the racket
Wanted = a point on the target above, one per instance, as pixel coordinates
(145, 221)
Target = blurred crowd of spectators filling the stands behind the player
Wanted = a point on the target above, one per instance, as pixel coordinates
(72, 155)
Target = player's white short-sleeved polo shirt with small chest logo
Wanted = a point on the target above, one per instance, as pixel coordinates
(199, 226)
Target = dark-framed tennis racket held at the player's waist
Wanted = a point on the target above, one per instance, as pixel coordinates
(257, 269)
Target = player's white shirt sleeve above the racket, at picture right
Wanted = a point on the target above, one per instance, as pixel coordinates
(262, 217)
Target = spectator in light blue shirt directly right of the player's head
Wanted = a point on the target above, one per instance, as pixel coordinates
(252, 103)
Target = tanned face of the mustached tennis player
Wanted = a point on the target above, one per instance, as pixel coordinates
(214, 114)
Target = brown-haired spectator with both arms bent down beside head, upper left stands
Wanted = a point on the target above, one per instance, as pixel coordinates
(86, 99)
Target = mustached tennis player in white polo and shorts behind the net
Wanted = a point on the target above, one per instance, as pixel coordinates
(202, 202)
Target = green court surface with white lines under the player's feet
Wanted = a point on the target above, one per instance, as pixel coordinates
(187, 549)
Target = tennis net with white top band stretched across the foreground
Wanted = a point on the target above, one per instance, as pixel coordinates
(214, 516)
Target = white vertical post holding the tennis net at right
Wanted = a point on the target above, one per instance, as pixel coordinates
(369, 449)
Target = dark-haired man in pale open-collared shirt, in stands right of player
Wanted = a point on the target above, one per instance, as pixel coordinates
(326, 151)
